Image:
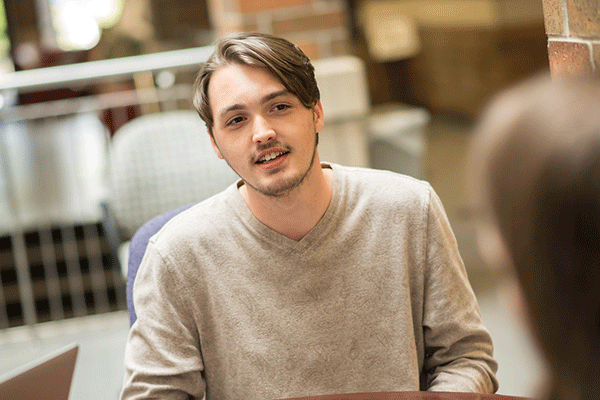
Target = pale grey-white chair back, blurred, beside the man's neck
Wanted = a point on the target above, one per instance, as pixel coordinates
(156, 163)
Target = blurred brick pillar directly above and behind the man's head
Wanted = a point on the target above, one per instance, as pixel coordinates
(318, 27)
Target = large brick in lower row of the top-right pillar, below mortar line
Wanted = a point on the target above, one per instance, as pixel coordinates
(569, 59)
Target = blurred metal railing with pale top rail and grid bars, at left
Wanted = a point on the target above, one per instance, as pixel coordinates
(53, 268)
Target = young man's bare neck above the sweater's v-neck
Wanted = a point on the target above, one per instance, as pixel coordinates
(296, 213)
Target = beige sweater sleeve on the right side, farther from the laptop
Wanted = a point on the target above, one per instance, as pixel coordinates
(458, 348)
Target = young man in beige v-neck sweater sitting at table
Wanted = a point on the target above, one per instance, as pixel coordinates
(304, 278)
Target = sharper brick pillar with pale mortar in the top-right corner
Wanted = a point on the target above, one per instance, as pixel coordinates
(573, 29)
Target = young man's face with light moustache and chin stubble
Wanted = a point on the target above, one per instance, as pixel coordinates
(263, 131)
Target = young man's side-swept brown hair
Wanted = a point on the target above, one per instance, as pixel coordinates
(282, 58)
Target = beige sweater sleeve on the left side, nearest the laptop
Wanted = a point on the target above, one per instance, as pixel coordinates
(162, 355)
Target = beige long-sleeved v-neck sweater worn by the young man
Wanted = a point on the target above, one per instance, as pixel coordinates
(373, 298)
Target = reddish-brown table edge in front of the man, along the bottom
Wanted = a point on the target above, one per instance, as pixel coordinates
(411, 396)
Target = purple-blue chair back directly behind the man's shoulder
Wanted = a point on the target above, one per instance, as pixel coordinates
(137, 248)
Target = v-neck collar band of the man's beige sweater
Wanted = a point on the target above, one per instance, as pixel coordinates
(282, 241)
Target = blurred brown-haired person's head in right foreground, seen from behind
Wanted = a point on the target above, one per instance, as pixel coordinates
(537, 156)
